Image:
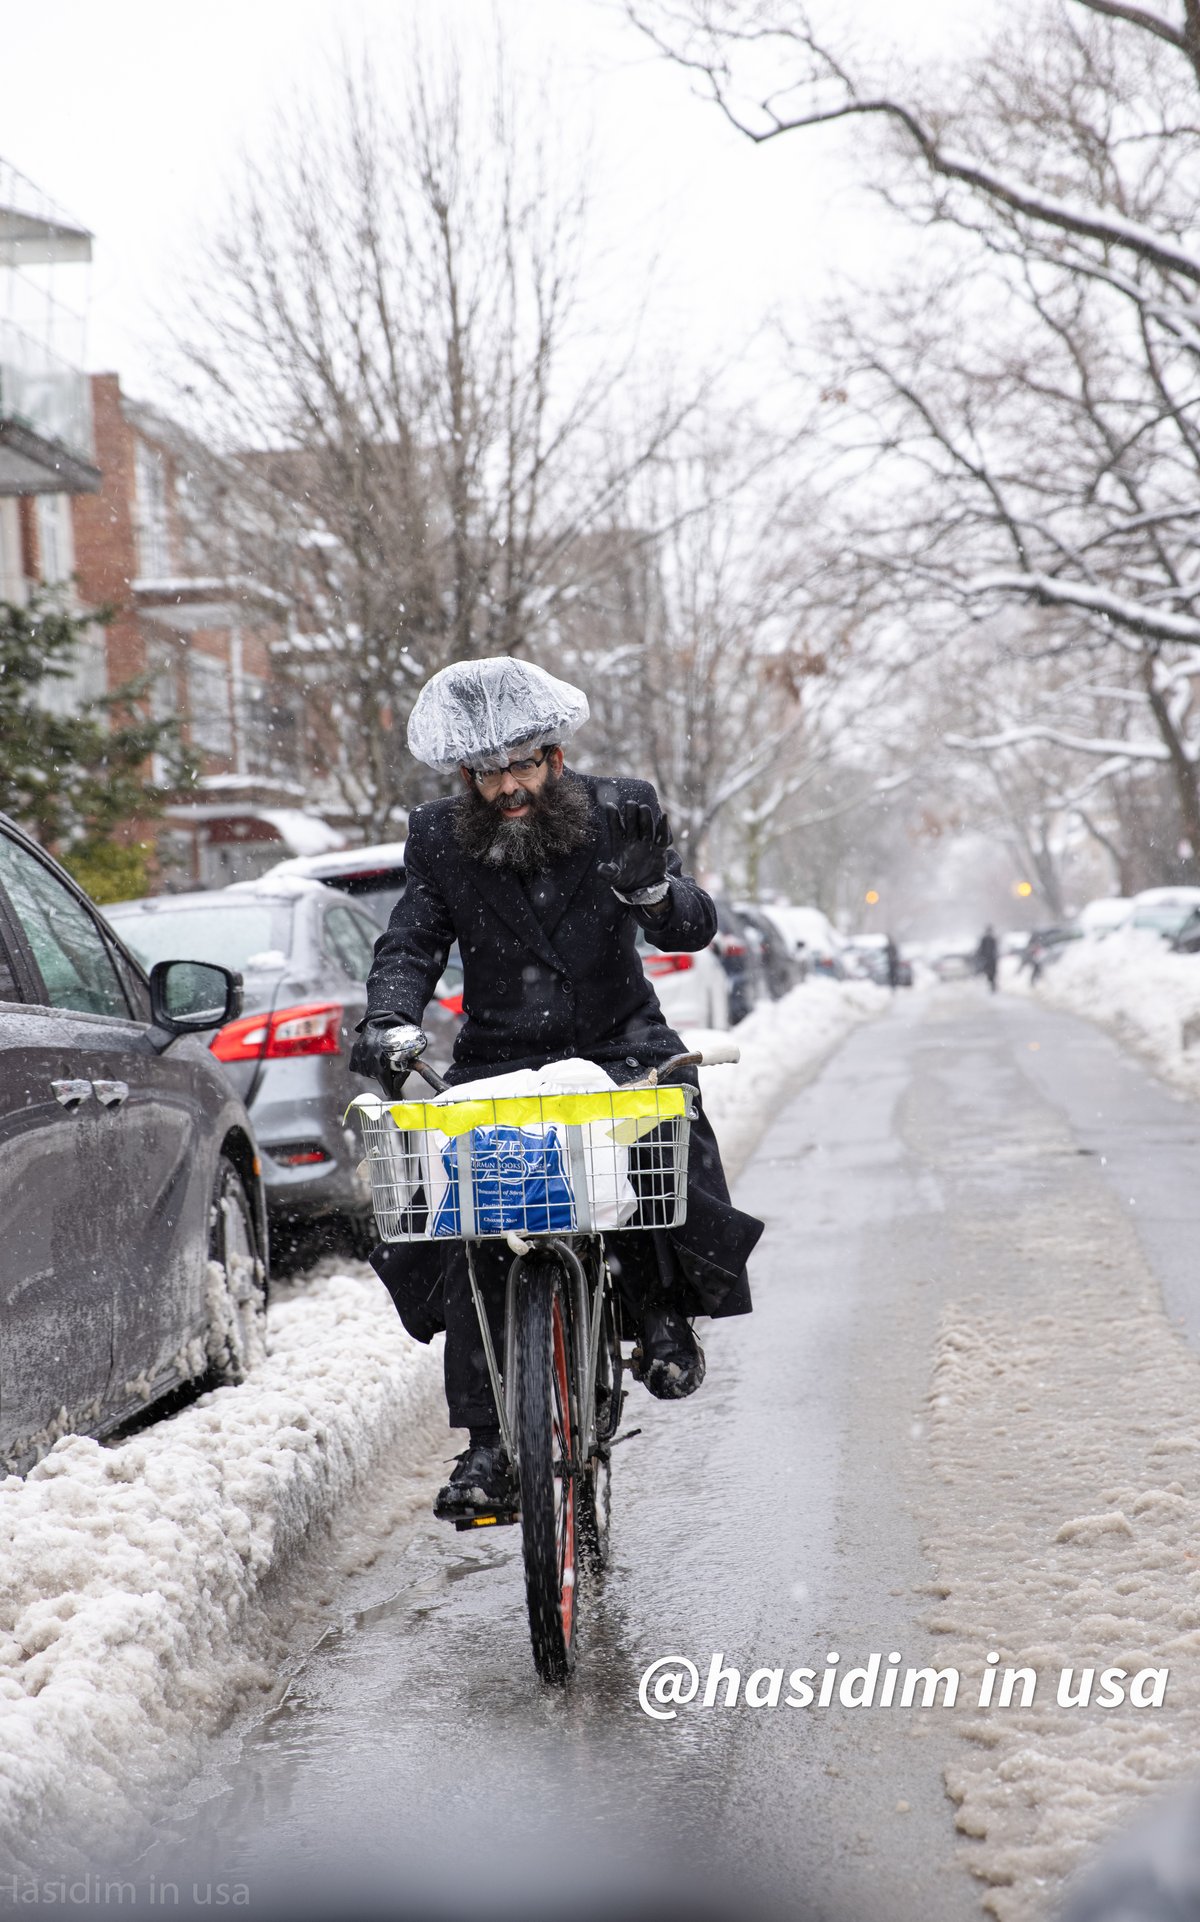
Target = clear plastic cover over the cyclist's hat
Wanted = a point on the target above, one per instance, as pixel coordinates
(478, 714)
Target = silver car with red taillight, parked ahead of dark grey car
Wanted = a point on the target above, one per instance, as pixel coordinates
(305, 952)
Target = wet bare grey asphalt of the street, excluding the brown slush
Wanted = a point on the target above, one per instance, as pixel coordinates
(768, 1519)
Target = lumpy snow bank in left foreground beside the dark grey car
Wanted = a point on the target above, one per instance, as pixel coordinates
(132, 1573)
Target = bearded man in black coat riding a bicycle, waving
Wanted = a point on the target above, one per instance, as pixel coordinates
(543, 877)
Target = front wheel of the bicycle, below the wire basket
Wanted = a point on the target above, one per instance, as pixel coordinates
(547, 1444)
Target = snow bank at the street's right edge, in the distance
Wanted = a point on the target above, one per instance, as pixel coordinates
(1147, 997)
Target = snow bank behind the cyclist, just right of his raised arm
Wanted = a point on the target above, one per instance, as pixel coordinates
(782, 1043)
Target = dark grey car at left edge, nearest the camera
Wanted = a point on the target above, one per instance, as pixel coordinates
(128, 1170)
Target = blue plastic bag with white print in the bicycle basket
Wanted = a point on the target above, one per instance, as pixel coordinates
(520, 1181)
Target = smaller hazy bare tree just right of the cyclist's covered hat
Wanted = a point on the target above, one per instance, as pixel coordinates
(732, 664)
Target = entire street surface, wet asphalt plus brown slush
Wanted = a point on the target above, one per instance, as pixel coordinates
(959, 1425)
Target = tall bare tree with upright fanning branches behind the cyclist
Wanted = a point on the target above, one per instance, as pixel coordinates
(412, 401)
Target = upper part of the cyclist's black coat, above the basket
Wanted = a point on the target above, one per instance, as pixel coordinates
(551, 968)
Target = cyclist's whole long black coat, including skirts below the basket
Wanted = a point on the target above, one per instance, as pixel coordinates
(551, 972)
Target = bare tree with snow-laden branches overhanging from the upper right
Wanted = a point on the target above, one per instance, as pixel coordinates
(1037, 403)
